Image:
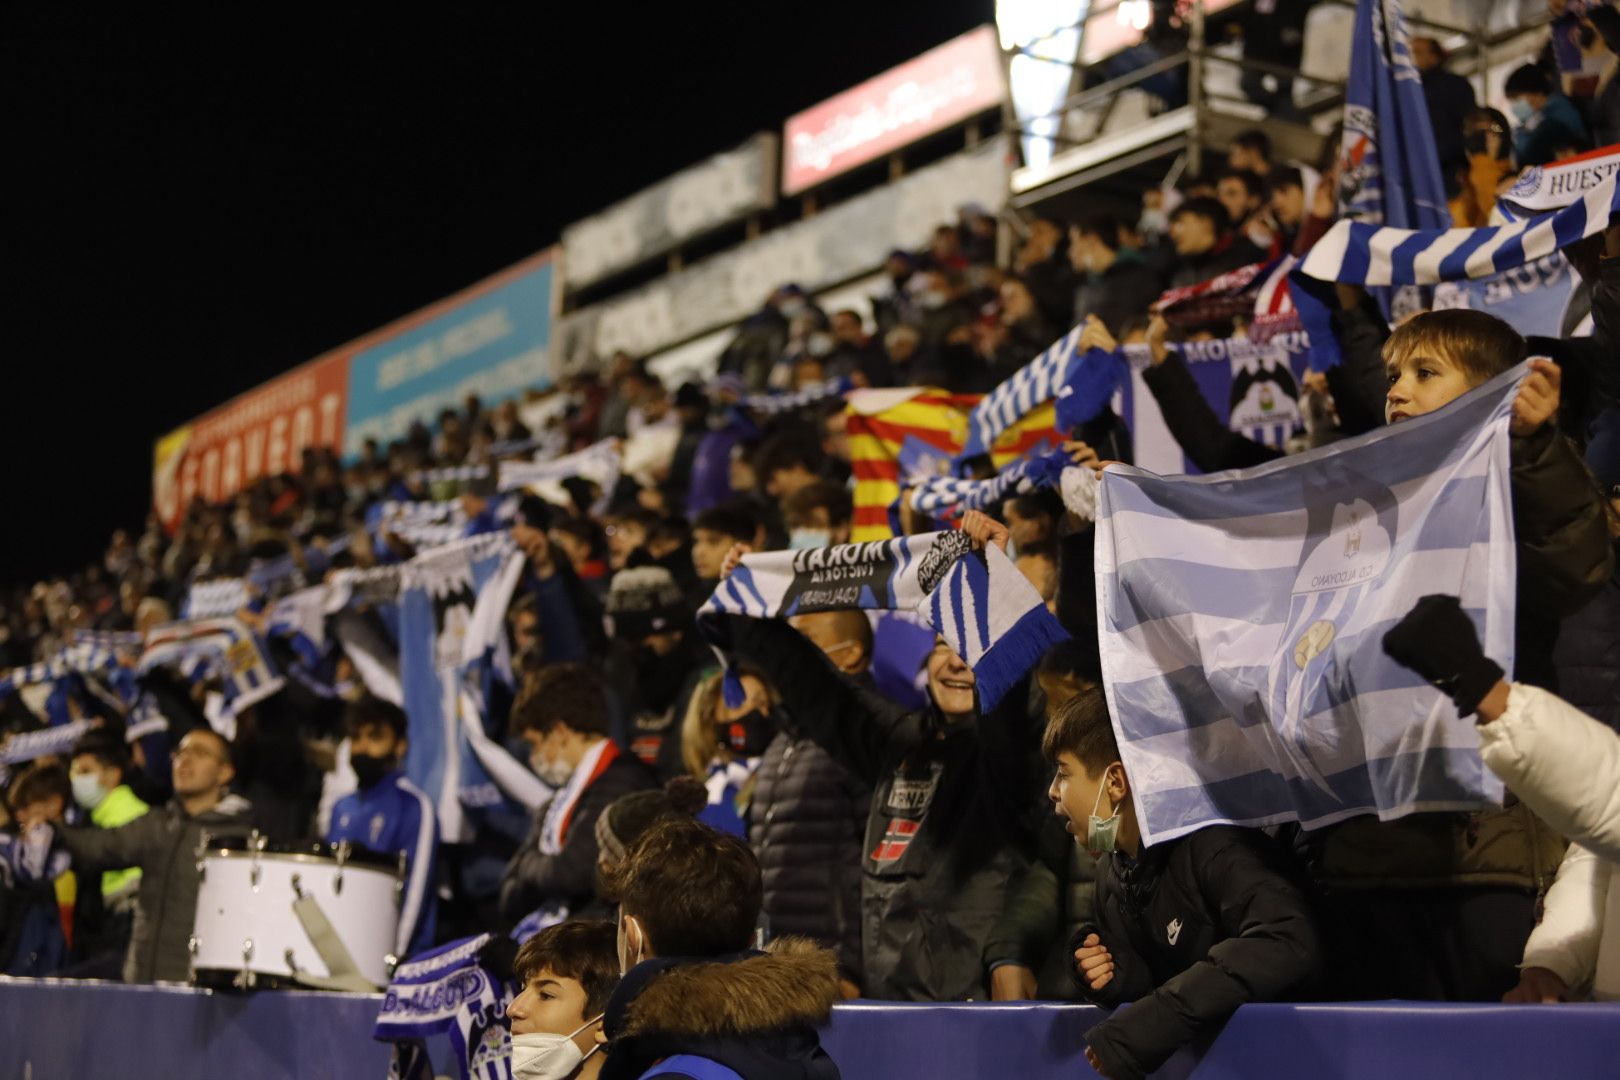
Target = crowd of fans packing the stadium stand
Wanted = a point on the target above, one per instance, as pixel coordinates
(858, 810)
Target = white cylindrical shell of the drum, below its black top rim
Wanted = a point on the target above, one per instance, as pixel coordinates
(237, 906)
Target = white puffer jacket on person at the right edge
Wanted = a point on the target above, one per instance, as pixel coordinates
(1567, 768)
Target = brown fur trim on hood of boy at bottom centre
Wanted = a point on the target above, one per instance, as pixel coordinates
(790, 987)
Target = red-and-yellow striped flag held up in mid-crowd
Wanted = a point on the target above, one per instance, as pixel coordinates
(911, 433)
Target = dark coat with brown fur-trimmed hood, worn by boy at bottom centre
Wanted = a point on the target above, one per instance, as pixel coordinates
(756, 1014)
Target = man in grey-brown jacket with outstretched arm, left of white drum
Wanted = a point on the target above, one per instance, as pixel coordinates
(163, 844)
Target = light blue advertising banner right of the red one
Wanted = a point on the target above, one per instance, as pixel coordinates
(493, 341)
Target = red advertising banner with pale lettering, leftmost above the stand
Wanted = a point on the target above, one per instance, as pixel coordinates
(260, 433)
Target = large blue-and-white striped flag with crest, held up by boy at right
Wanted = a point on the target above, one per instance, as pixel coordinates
(1242, 618)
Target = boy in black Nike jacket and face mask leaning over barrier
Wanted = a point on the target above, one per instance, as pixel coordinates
(1187, 930)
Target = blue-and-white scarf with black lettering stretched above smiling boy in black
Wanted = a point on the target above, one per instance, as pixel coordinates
(989, 613)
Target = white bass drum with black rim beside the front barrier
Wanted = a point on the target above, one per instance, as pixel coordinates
(283, 916)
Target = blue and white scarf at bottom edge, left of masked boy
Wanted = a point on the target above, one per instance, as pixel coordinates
(448, 993)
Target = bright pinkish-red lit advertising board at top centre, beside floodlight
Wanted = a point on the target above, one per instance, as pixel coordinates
(942, 87)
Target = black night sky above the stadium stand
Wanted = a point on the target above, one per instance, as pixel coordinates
(198, 205)
